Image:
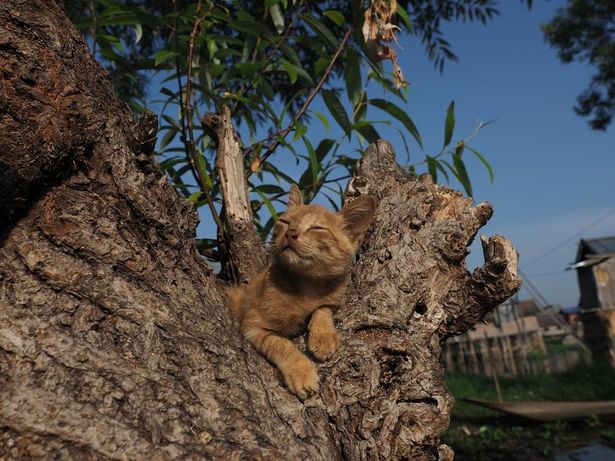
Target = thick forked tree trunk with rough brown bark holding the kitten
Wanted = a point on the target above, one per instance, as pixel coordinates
(115, 342)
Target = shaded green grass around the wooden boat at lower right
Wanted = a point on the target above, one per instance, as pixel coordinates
(480, 434)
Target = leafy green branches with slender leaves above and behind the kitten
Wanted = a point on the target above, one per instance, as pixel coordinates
(308, 79)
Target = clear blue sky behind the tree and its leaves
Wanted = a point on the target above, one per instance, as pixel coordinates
(553, 174)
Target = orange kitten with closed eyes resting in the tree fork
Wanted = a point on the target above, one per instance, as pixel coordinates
(312, 251)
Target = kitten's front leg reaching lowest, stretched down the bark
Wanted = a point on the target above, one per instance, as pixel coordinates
(299, 372)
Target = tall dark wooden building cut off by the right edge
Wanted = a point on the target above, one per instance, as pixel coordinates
(595, 266)
